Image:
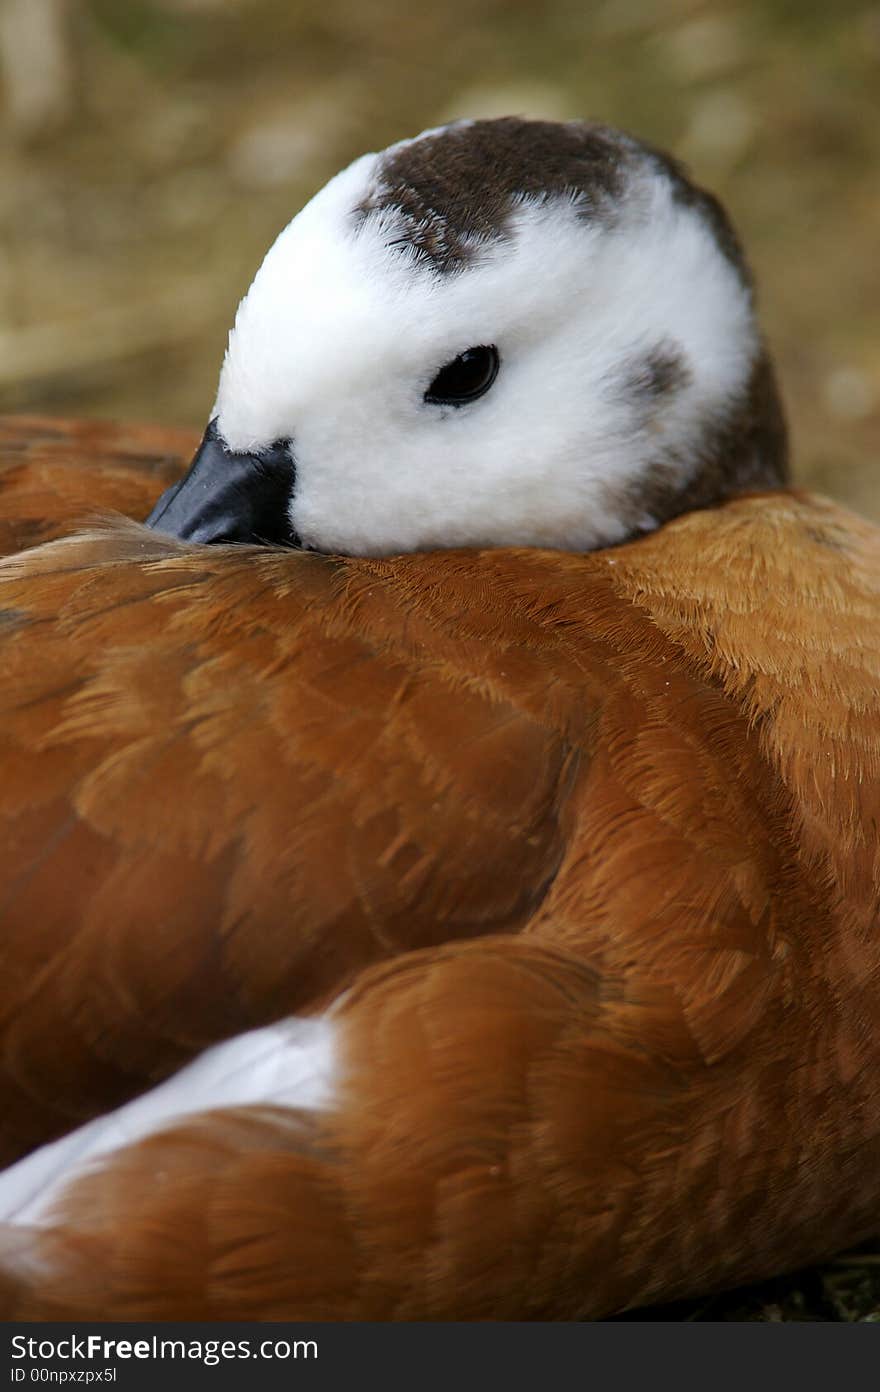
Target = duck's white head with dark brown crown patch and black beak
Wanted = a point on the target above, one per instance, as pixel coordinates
(619, 375)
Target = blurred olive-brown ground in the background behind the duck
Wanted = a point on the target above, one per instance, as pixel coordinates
(152, 150)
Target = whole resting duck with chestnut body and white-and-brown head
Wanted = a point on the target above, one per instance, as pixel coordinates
(469, 911)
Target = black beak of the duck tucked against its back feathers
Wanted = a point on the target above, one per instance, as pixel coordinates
(229, 496)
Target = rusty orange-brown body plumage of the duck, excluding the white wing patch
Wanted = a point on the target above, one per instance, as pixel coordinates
(583, 848)
